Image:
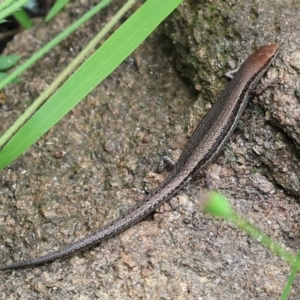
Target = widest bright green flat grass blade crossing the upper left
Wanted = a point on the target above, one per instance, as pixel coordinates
(87, 77)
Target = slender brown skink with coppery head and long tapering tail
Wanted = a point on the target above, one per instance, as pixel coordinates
(204, 145)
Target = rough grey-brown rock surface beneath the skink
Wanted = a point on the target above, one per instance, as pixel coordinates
(113, 141)
